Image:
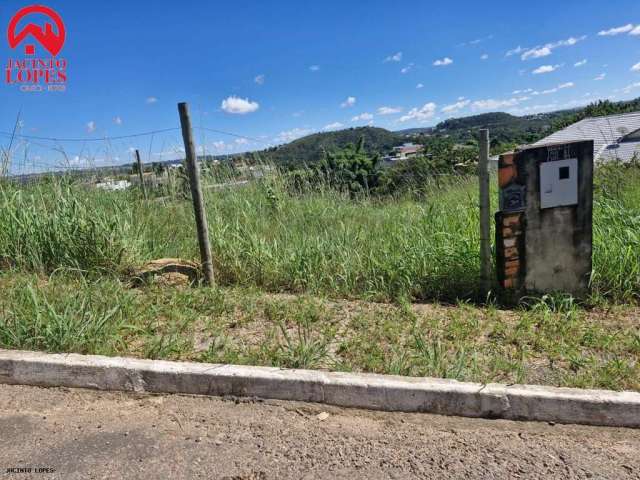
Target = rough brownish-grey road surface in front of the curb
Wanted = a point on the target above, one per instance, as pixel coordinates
(83, 434)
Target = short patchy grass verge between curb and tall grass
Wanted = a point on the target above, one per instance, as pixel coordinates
(551, 341)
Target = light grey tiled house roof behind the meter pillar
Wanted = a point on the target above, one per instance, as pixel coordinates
(615, 137)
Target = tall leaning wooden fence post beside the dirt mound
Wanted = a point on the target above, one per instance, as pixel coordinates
(196, 193)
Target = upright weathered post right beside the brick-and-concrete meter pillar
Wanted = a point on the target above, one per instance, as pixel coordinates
(485, 220)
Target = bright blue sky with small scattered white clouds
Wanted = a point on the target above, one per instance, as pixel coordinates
(274, 71)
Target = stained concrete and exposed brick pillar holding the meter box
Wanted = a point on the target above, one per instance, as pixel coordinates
(544, 227)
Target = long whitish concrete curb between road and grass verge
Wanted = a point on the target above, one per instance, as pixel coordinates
(376, 392)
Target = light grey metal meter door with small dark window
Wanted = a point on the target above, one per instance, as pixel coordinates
(559, 183)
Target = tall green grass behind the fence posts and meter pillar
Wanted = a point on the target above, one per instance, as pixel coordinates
(320, 241)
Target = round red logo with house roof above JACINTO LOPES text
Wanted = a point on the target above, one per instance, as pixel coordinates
(49, 40)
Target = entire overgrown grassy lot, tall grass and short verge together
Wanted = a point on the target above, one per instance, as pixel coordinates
(298, 273)
